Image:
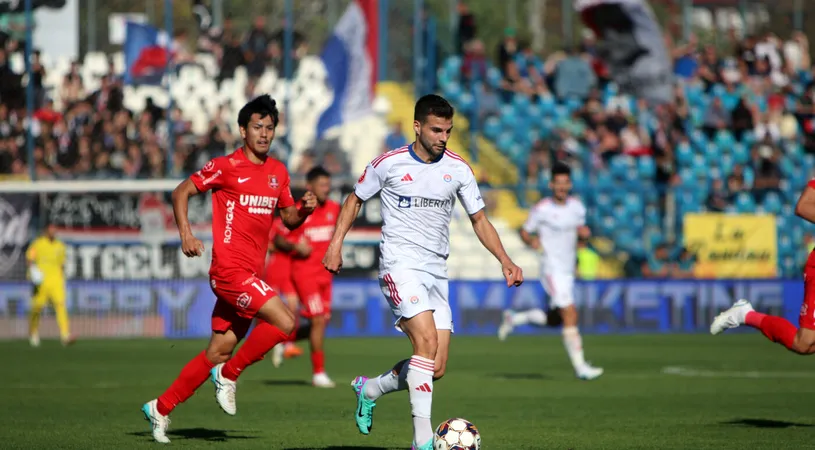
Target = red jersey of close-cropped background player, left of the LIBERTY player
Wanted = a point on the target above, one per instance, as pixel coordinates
(318, 230)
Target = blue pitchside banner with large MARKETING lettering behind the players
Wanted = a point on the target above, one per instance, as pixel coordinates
(182, 309)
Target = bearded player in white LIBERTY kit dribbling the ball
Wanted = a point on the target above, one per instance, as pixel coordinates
(419, 185)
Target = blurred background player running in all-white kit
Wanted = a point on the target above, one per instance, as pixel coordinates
(552, 228)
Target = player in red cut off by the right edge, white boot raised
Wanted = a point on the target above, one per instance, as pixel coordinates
(779, 329)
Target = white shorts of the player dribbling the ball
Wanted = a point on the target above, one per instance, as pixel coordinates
(410, 292)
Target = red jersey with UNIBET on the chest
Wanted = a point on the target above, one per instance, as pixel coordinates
(244, 197)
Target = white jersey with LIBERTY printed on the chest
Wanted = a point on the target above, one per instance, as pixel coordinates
(418, 199)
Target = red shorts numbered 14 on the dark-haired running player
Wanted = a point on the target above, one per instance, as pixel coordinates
(238, 299)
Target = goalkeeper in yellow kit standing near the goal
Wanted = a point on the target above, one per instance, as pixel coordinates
(46, 256)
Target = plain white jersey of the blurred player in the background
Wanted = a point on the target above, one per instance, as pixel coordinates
(556, 226)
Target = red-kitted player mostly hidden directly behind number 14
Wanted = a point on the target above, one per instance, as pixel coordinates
(278, 276)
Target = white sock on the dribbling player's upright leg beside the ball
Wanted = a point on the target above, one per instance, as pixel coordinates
(420, 383)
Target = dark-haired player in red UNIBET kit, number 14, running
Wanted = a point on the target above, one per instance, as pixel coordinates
(247, 186)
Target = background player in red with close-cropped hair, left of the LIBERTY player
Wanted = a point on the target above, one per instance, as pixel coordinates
(311, 281)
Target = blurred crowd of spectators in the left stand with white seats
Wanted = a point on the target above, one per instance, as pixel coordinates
(92, 135)
